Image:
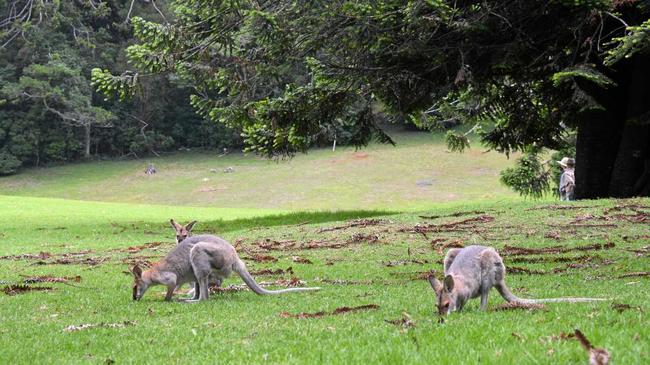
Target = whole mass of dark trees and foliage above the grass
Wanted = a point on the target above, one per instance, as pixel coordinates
(285, 75)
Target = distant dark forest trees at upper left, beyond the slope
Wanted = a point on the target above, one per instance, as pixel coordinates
(49, 112)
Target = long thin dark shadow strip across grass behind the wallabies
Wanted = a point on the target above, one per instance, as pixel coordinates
(220, 226)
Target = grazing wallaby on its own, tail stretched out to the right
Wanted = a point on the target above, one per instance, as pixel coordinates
(471, 272)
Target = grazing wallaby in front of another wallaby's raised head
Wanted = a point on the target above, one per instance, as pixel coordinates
(194, 260)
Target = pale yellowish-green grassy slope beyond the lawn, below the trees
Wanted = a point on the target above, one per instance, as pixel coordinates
(412, 175)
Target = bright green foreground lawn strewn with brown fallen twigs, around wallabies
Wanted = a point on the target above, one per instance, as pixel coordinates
(379, 261)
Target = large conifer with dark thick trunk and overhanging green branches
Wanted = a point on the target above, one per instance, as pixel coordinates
(284, 71)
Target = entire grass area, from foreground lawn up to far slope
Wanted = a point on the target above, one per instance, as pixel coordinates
(367, 226)
